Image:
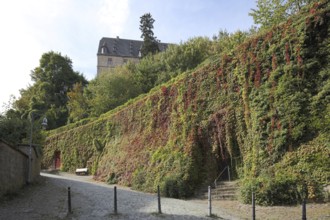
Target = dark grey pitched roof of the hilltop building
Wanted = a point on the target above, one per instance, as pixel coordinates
(123, 47)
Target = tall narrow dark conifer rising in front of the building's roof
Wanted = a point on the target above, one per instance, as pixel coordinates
(150, 42)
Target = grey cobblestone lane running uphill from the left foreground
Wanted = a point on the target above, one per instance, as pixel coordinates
(94, 200)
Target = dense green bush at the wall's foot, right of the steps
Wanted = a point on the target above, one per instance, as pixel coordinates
(300, 174)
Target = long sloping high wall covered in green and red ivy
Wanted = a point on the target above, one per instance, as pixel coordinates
(263, 109)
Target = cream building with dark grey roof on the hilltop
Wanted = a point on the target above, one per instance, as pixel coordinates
(114, 52)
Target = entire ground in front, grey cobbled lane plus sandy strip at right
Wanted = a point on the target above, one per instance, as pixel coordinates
(93, 200)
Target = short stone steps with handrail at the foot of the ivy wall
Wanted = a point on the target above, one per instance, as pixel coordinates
(223, 191)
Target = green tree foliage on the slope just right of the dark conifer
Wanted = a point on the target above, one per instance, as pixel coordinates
(156, 69)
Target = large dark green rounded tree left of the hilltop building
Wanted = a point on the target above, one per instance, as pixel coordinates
(53, 78)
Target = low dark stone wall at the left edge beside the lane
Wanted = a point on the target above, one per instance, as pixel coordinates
(14, 167)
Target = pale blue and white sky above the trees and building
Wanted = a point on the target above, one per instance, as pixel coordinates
(30, 28)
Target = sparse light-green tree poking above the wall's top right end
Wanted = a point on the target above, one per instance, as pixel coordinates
(273, 12)
